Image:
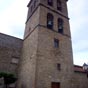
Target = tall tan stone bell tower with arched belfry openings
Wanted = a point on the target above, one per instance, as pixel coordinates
(46, 60)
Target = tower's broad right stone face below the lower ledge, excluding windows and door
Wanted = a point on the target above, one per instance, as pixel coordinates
(49, 57)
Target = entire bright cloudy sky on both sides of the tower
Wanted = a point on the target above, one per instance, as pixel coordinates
(13, 16)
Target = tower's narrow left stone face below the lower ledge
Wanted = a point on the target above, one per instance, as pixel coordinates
(27, 70)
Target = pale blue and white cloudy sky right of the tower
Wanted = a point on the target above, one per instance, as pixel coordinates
(78, 13)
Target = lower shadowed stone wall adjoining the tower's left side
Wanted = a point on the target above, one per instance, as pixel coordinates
(10, 50)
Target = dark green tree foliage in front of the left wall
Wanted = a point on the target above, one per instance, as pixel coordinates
(8, 77)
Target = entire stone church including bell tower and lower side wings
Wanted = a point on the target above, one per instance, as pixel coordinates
(44, 58)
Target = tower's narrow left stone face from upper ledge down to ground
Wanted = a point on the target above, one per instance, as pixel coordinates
(28, 58)
